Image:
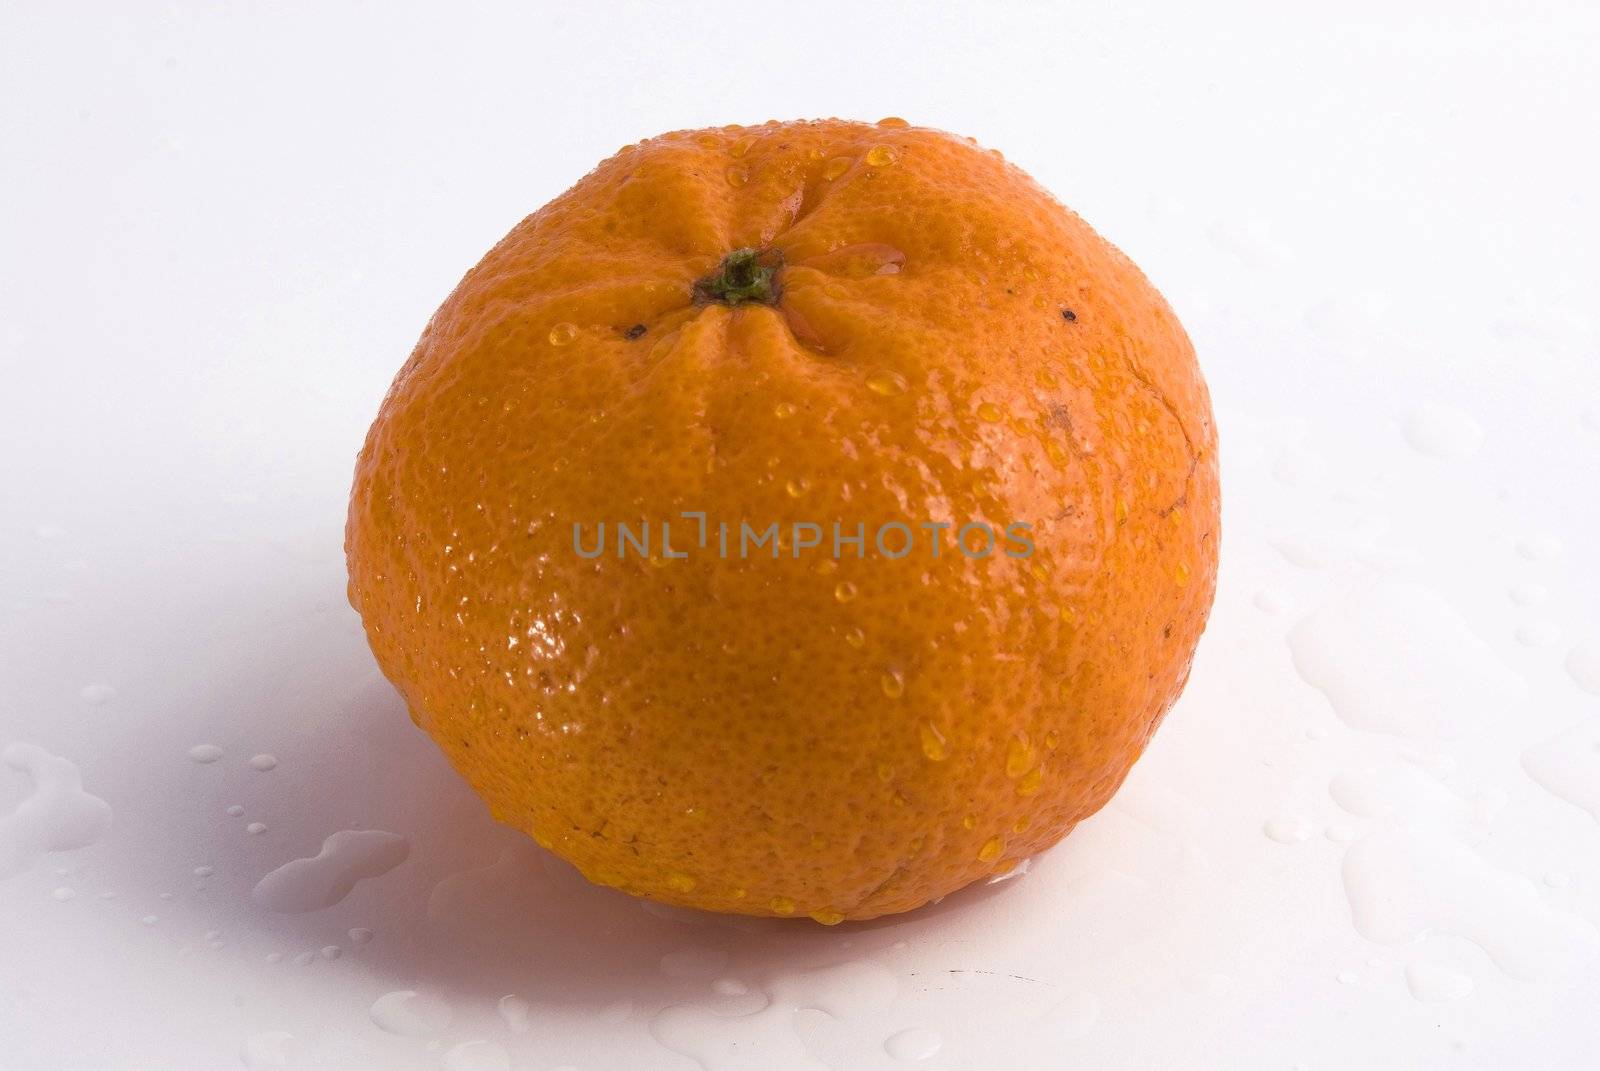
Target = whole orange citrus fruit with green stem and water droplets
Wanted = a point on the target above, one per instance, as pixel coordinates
(796, 326)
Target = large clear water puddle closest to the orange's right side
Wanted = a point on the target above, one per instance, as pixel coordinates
(1398, 659)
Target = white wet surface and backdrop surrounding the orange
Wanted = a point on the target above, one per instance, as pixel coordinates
(1367, 838)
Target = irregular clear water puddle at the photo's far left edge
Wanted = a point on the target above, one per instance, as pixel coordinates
(57, 816)
